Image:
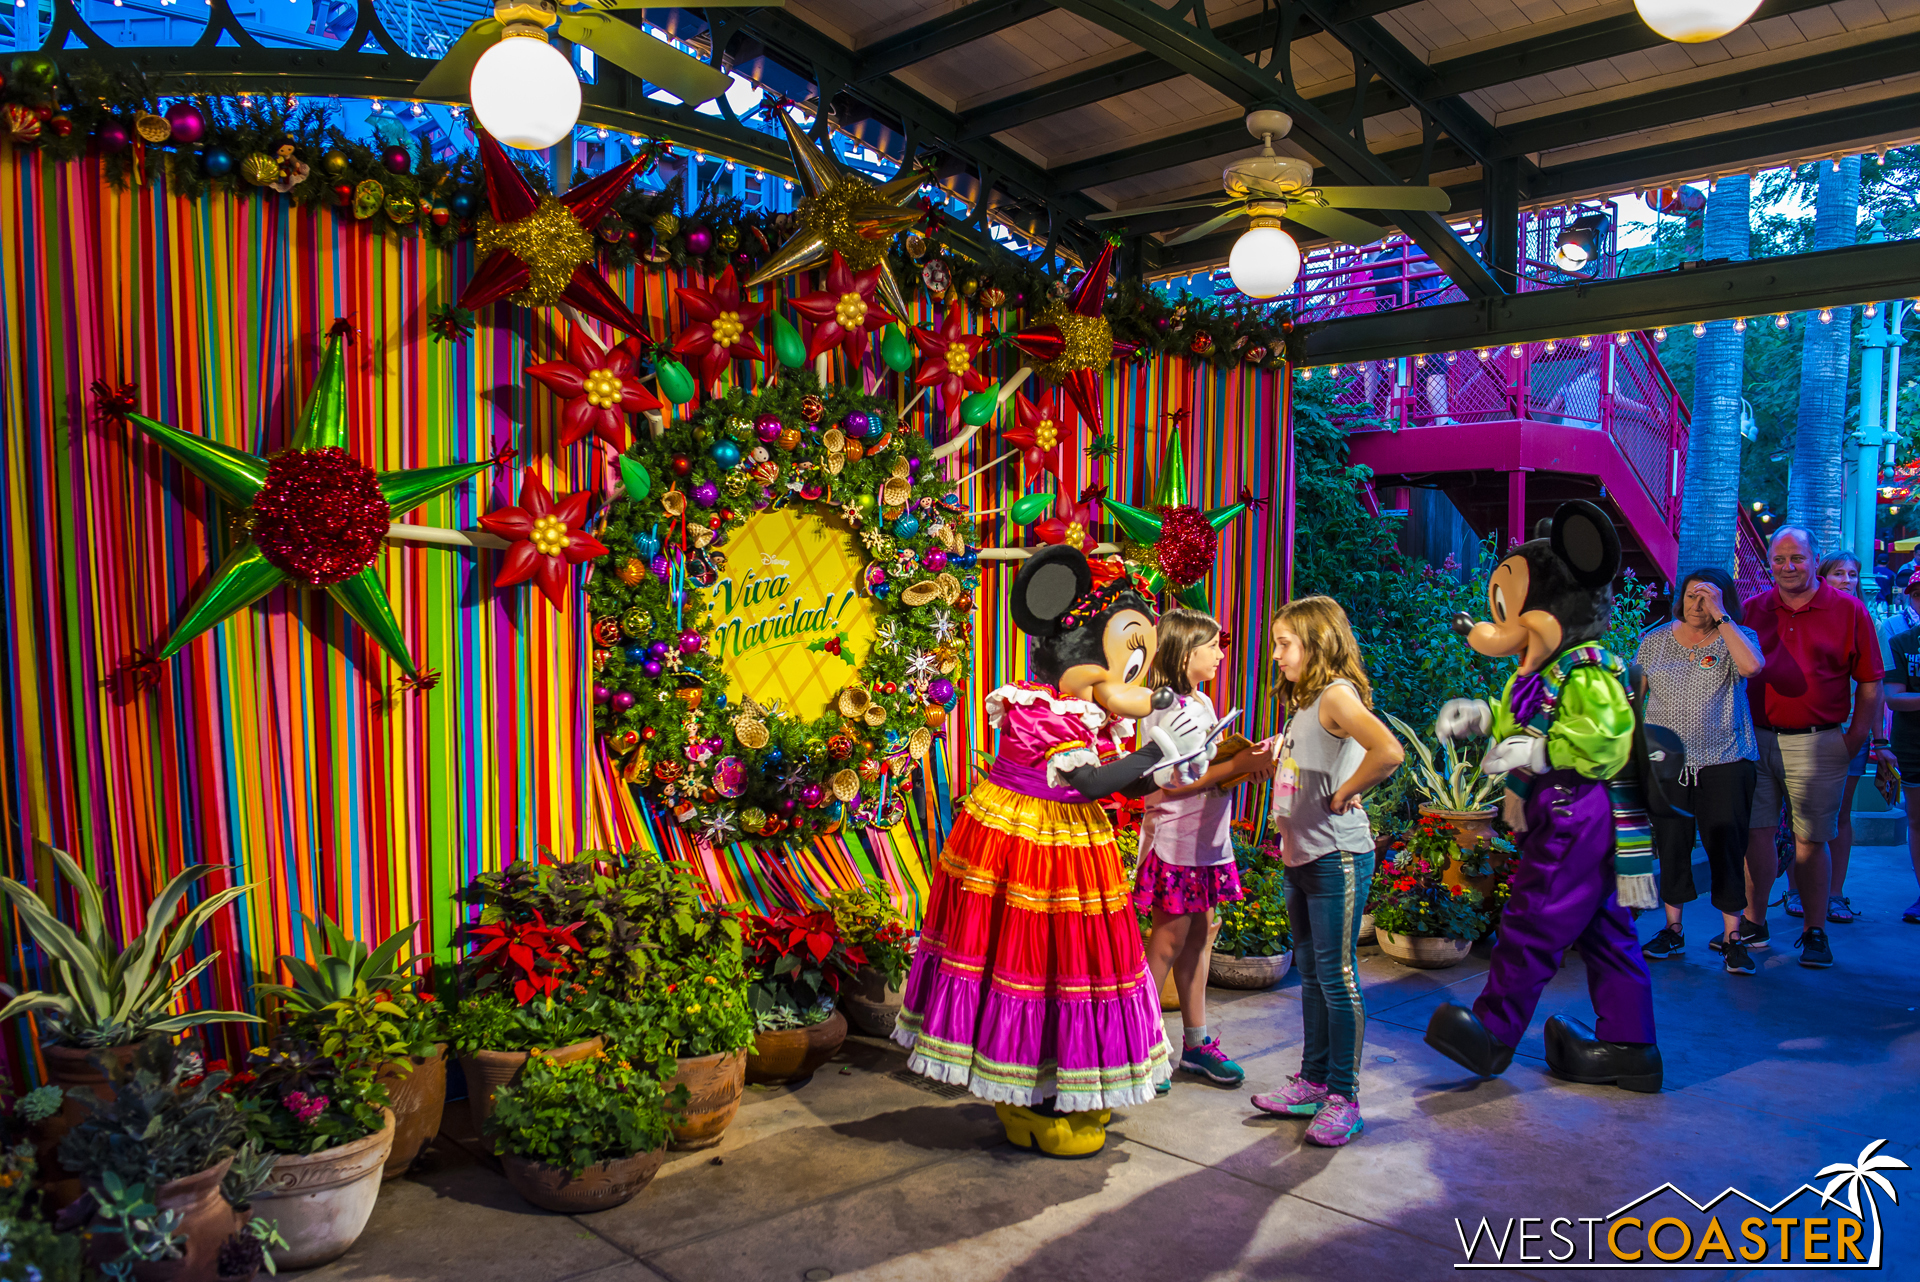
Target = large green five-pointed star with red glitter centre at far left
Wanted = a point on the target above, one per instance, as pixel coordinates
(316, 515)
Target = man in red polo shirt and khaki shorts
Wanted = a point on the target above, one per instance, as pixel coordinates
(1810, 719)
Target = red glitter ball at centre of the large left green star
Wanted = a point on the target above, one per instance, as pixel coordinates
(320, 515)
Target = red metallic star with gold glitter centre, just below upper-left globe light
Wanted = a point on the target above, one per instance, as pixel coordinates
(539, 250)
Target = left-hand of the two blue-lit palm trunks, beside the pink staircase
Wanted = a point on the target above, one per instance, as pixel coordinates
(1712, 494)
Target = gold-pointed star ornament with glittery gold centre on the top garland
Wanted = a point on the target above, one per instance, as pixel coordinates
(844, 216)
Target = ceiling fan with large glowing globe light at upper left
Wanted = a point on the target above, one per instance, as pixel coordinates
(527, 93)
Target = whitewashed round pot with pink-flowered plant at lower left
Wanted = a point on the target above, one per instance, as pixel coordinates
(331, 1129)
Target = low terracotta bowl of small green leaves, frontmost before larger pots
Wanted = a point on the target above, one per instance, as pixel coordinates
(579, 1137)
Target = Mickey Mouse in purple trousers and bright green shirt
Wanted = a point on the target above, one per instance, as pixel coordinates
(1564, 730)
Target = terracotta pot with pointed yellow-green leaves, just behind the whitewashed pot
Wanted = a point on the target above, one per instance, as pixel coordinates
(362, 1007)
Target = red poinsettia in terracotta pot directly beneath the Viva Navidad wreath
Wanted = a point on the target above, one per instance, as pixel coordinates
(796, 964)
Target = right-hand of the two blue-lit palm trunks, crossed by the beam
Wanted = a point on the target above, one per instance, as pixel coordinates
(1817, 487)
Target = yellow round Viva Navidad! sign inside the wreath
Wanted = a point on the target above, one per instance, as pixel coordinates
(790, 590)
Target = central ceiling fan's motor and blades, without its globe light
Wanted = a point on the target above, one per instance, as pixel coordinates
(1268, 189)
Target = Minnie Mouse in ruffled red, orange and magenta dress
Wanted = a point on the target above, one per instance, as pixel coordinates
(1030, 980)
